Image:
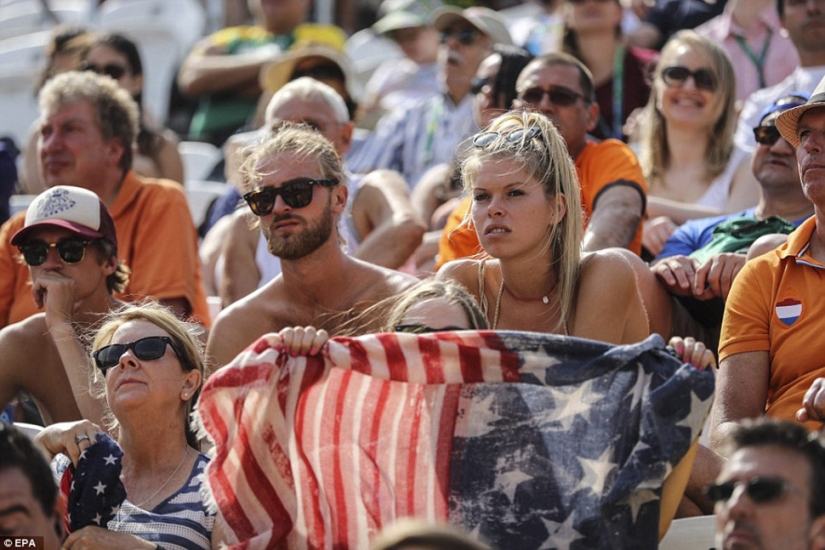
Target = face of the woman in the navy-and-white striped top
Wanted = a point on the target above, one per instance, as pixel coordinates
(134, 383)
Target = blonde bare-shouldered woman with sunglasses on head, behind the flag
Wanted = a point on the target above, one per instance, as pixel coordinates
(527, 213)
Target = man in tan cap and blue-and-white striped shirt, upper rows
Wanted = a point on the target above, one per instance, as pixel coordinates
(413, 139)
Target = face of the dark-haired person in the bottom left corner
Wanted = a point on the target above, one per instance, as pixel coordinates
(20, 512)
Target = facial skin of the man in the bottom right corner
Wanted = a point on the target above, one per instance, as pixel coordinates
(784, 523)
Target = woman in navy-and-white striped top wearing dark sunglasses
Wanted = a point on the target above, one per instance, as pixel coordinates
(151, 367)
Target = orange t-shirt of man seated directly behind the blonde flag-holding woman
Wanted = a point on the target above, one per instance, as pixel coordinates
(600, 165)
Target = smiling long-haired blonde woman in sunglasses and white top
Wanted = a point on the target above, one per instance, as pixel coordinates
(692, 167)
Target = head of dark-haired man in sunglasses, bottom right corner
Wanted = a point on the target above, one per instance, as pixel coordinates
(771, 491)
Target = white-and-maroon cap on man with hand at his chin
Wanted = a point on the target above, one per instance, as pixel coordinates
(79, 210)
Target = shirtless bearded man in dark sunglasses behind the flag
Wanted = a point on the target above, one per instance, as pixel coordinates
(298, 190)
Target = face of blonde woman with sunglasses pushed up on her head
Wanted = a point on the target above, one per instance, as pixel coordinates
(511, 212)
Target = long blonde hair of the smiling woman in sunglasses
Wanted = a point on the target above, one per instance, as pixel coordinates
(655, 155)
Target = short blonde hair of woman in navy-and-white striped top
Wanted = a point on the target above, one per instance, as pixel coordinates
(188, 348)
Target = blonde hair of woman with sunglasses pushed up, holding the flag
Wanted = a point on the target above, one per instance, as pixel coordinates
(545, 158)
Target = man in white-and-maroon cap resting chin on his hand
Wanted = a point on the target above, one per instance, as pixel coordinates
(69, 244)
